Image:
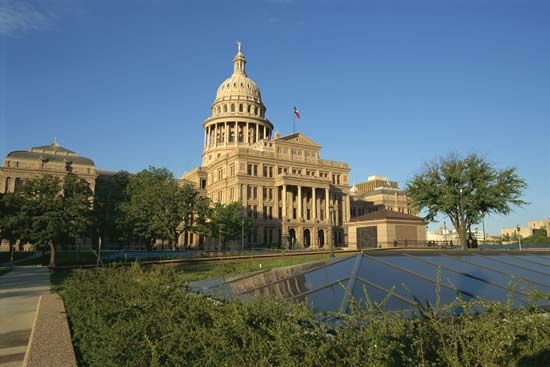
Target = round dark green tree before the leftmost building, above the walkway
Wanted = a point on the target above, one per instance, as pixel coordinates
(57, 211)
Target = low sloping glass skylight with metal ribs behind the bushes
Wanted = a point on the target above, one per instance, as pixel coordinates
(402, 279)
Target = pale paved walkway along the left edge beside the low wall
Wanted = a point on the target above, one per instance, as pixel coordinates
(20, 290)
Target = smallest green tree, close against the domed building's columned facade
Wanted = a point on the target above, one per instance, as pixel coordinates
(229, 222)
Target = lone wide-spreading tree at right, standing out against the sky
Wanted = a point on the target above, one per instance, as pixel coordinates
(466, 190)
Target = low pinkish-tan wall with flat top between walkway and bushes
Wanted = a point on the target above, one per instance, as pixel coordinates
(50, 342)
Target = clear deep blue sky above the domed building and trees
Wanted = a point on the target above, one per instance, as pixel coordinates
(383, 85)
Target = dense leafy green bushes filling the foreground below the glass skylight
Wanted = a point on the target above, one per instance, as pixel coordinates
(133, 317)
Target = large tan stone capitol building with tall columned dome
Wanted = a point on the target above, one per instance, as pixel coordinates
(294, 195)
